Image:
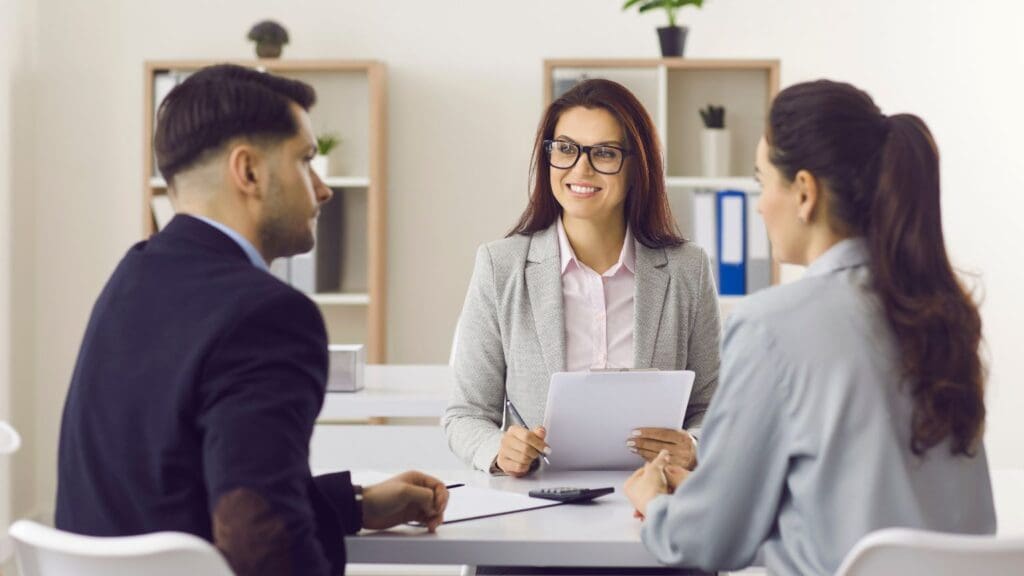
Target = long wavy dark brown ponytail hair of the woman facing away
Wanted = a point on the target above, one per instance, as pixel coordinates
(883, 176)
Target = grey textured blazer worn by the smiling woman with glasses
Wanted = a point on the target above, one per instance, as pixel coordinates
(513, 335)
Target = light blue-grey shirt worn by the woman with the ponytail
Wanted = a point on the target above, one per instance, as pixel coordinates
(807, 446)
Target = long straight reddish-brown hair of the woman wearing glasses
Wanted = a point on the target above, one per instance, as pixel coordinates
(647, 205)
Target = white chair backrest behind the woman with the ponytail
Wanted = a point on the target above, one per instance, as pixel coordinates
(910, 553)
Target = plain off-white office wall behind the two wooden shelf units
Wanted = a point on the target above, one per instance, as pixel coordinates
(471, 72)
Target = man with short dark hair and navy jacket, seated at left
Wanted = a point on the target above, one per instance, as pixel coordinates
(201, 375)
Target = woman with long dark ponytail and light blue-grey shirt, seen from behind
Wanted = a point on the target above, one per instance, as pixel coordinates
(852, 400)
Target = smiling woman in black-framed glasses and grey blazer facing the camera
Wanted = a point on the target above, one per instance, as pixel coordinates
(594, 276)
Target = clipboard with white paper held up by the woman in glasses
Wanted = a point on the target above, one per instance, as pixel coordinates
(590, 416)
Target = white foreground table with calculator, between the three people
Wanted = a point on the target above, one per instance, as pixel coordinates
(601, 534)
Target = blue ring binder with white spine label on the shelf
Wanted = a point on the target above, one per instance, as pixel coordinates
(732, 207)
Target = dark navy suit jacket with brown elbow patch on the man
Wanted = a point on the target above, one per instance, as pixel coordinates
(192, 406)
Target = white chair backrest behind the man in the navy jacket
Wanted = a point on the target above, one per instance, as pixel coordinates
(46, 552)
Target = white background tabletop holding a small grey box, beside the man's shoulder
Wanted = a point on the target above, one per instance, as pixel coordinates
(393, 391)
